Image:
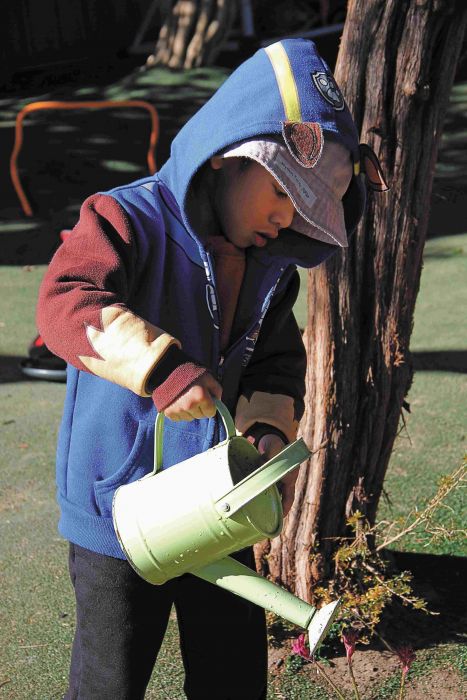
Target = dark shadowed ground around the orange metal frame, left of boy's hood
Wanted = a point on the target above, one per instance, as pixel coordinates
(67, 156)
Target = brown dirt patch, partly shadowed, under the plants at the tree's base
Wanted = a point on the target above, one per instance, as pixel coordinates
(440, 580)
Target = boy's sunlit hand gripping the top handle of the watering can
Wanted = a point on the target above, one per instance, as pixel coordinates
(197, 402)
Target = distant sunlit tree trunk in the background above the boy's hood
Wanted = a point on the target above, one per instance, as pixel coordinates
(193, 33)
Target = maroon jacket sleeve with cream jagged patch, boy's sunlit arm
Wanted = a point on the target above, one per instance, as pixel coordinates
(82, 311)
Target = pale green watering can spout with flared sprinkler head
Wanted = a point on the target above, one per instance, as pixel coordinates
(237, 578)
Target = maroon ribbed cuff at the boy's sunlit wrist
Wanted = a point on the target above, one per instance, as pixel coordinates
(172, 377)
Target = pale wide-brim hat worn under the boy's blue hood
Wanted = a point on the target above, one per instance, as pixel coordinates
(316, 191)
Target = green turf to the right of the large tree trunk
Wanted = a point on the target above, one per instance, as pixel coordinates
(435, 438)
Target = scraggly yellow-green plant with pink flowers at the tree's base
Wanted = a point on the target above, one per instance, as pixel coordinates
(364, 582)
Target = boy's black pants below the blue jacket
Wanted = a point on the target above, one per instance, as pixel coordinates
(122, 619)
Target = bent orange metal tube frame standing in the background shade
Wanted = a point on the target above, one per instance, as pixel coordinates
(98, 104)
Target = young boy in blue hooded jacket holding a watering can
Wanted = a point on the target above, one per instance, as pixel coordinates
(171, 291)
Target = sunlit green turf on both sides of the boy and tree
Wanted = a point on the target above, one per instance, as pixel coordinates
(37, 610)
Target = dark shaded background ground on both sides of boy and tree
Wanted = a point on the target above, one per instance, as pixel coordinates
(67, 156)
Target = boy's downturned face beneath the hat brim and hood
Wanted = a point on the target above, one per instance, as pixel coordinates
(250, 205)
